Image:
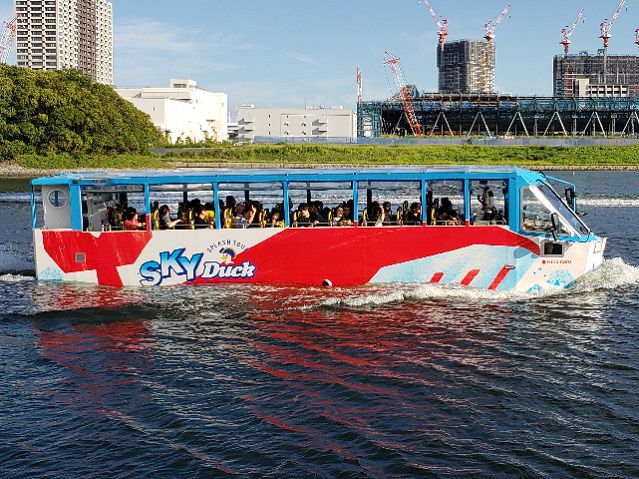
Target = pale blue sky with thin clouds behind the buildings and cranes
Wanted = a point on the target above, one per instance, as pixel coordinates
(289, 53)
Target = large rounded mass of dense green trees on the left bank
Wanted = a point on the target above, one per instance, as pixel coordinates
(65, 112)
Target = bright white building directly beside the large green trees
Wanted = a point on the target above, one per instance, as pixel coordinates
(183, 111)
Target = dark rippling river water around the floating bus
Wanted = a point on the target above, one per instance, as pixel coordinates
(411, 381)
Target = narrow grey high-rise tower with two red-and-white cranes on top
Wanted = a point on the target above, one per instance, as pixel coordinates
(466, 66)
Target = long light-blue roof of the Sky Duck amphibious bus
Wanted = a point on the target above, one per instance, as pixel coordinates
(272, 175)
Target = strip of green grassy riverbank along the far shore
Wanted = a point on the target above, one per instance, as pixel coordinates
(593, 157)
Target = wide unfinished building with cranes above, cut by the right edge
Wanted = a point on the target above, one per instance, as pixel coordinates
(600, 75)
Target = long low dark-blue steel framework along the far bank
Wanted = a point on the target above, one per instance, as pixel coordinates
(461, 115)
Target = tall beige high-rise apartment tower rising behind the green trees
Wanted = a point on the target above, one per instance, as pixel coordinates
(57, 34)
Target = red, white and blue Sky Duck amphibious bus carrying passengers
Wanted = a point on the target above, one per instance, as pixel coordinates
(495, 228)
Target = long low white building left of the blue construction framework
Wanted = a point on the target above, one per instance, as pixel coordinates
(296, 123)
